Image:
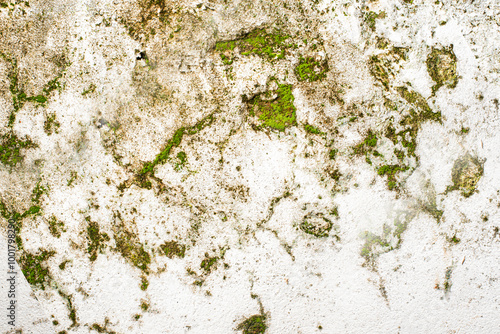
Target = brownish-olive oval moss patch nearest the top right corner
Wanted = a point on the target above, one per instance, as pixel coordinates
(442, 67)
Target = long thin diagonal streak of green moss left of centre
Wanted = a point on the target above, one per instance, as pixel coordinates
(175, 141)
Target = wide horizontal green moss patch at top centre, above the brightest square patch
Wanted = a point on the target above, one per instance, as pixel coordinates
(257, 42)
